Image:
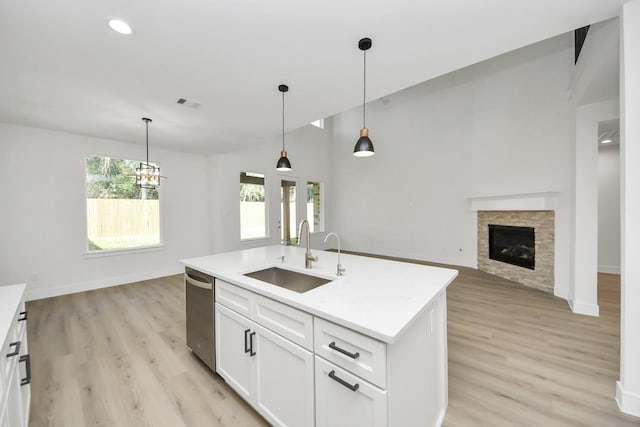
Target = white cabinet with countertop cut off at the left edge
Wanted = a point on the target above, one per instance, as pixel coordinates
(15, 369)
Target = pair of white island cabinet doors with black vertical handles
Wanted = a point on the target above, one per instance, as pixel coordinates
(270, 372)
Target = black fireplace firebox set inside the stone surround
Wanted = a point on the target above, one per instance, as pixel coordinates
(513, 245)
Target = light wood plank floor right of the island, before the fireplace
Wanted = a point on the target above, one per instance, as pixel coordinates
(519, 357)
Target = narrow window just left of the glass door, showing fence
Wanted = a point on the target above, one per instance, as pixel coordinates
(253, 212)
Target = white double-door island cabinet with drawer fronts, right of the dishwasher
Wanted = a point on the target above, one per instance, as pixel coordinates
(274, 374)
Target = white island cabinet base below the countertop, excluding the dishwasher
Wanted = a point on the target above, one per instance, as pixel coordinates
(299, 370)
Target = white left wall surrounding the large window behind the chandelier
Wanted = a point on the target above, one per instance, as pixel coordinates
(43, 214)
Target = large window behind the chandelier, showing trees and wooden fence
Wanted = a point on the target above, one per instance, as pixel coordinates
(120, 215)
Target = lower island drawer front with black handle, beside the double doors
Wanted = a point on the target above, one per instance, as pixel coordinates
(344, 400)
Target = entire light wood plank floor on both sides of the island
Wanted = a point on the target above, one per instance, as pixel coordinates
(517, 357)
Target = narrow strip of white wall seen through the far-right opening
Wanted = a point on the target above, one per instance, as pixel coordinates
(609, 209)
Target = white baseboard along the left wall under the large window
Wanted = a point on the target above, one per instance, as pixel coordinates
(71, 288)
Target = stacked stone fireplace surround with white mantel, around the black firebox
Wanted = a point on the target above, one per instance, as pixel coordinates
(530, 210)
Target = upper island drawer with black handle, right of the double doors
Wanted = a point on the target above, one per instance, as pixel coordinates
(357, 353)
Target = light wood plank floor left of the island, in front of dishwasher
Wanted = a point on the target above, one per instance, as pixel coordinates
(117, 357)
